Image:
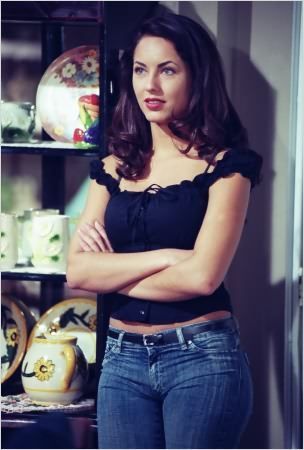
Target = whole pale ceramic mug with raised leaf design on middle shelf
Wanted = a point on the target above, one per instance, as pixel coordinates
(50, 241)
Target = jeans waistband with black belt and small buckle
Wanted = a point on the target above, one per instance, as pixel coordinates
(173, 336)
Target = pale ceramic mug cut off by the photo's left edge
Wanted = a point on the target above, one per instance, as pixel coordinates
(9, 241)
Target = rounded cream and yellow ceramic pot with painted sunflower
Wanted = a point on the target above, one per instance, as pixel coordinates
(54, 370)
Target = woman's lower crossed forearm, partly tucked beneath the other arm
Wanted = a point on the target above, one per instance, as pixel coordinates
(182, 281)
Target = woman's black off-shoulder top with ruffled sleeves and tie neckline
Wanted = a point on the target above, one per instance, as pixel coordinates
(167, 217)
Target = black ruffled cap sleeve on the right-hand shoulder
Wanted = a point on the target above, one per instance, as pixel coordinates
(244, 161)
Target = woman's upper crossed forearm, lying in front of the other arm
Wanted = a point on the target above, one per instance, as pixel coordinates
(110, 272)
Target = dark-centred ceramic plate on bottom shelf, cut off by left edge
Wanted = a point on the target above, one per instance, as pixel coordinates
(13, 336)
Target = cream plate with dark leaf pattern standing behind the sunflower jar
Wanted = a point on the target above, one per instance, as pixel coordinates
(75, 316)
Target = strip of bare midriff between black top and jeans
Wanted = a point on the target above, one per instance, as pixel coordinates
(146, 328)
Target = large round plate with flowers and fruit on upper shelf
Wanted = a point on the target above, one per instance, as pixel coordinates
(68, 93)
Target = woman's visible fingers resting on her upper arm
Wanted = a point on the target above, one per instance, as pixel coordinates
(93, 238)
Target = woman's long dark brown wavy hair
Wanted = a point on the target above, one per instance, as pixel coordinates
(210, 123)
